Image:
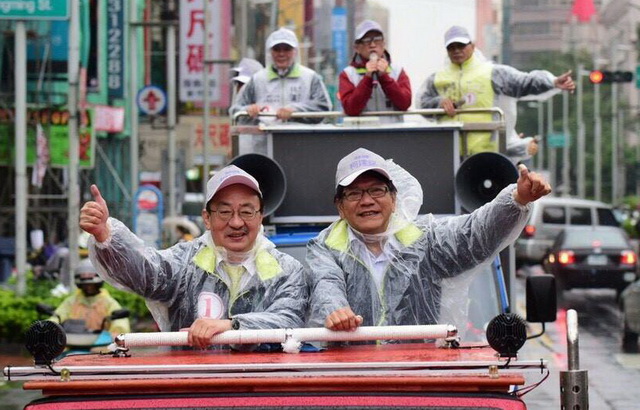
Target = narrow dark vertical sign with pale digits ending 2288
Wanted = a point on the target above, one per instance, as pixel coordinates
(115, 48)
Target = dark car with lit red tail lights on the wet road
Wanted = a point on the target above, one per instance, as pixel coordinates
(592, 257)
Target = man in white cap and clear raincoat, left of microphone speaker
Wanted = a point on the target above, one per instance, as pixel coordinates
(284, 86)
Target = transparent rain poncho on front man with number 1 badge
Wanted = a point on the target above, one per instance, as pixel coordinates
(188, 280)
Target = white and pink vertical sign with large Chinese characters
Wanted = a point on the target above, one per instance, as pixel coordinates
(192, 30)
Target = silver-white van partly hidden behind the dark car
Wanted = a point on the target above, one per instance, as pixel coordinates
(550, 215)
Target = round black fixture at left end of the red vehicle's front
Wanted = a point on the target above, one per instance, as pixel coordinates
(45, 340)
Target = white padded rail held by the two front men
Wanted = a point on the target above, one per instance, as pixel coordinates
(291, 338)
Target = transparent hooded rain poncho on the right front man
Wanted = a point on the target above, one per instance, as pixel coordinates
(429, 261)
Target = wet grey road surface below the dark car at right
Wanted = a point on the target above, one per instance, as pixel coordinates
(614, 377)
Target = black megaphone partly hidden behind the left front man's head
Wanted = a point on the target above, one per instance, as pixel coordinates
(269, 175)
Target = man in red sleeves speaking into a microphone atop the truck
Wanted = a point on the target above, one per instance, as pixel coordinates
(371, 82)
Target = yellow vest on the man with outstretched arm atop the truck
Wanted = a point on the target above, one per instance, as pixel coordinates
(471, 83)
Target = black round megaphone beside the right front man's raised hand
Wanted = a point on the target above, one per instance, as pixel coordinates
(481, 177)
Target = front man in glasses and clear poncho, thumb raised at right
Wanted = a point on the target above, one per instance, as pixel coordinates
(380, 265)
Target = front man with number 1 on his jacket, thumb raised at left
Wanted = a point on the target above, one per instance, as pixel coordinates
(231, 277)
